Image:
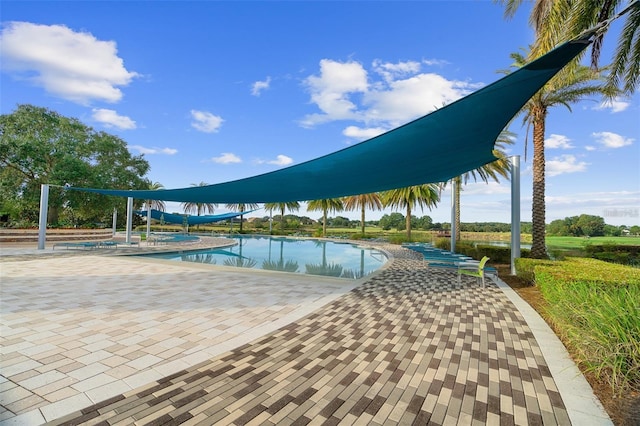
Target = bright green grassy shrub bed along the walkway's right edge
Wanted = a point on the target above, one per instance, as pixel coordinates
(596, 309)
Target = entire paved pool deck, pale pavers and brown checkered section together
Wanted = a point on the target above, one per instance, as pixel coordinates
(92, 338)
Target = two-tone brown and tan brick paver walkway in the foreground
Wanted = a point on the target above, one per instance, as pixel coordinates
(409, 346)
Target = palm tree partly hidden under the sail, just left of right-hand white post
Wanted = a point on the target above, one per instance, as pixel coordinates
(500, 167)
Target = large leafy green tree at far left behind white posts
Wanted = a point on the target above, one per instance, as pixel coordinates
(39, 146)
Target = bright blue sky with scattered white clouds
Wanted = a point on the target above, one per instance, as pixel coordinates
(217, 91)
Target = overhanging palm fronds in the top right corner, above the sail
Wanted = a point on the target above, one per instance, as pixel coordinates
(558, 20)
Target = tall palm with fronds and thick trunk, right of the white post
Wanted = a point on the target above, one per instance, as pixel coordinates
(569, 86)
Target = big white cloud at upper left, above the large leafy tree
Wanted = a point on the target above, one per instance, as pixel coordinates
(71, 65)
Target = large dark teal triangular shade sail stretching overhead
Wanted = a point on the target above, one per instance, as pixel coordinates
(434, 148)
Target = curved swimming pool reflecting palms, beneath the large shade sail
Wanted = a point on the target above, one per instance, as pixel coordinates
(303, 256)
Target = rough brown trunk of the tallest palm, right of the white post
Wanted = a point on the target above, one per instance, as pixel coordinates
(538, 248)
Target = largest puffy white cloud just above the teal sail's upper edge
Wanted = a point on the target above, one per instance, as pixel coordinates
(396, 93)
